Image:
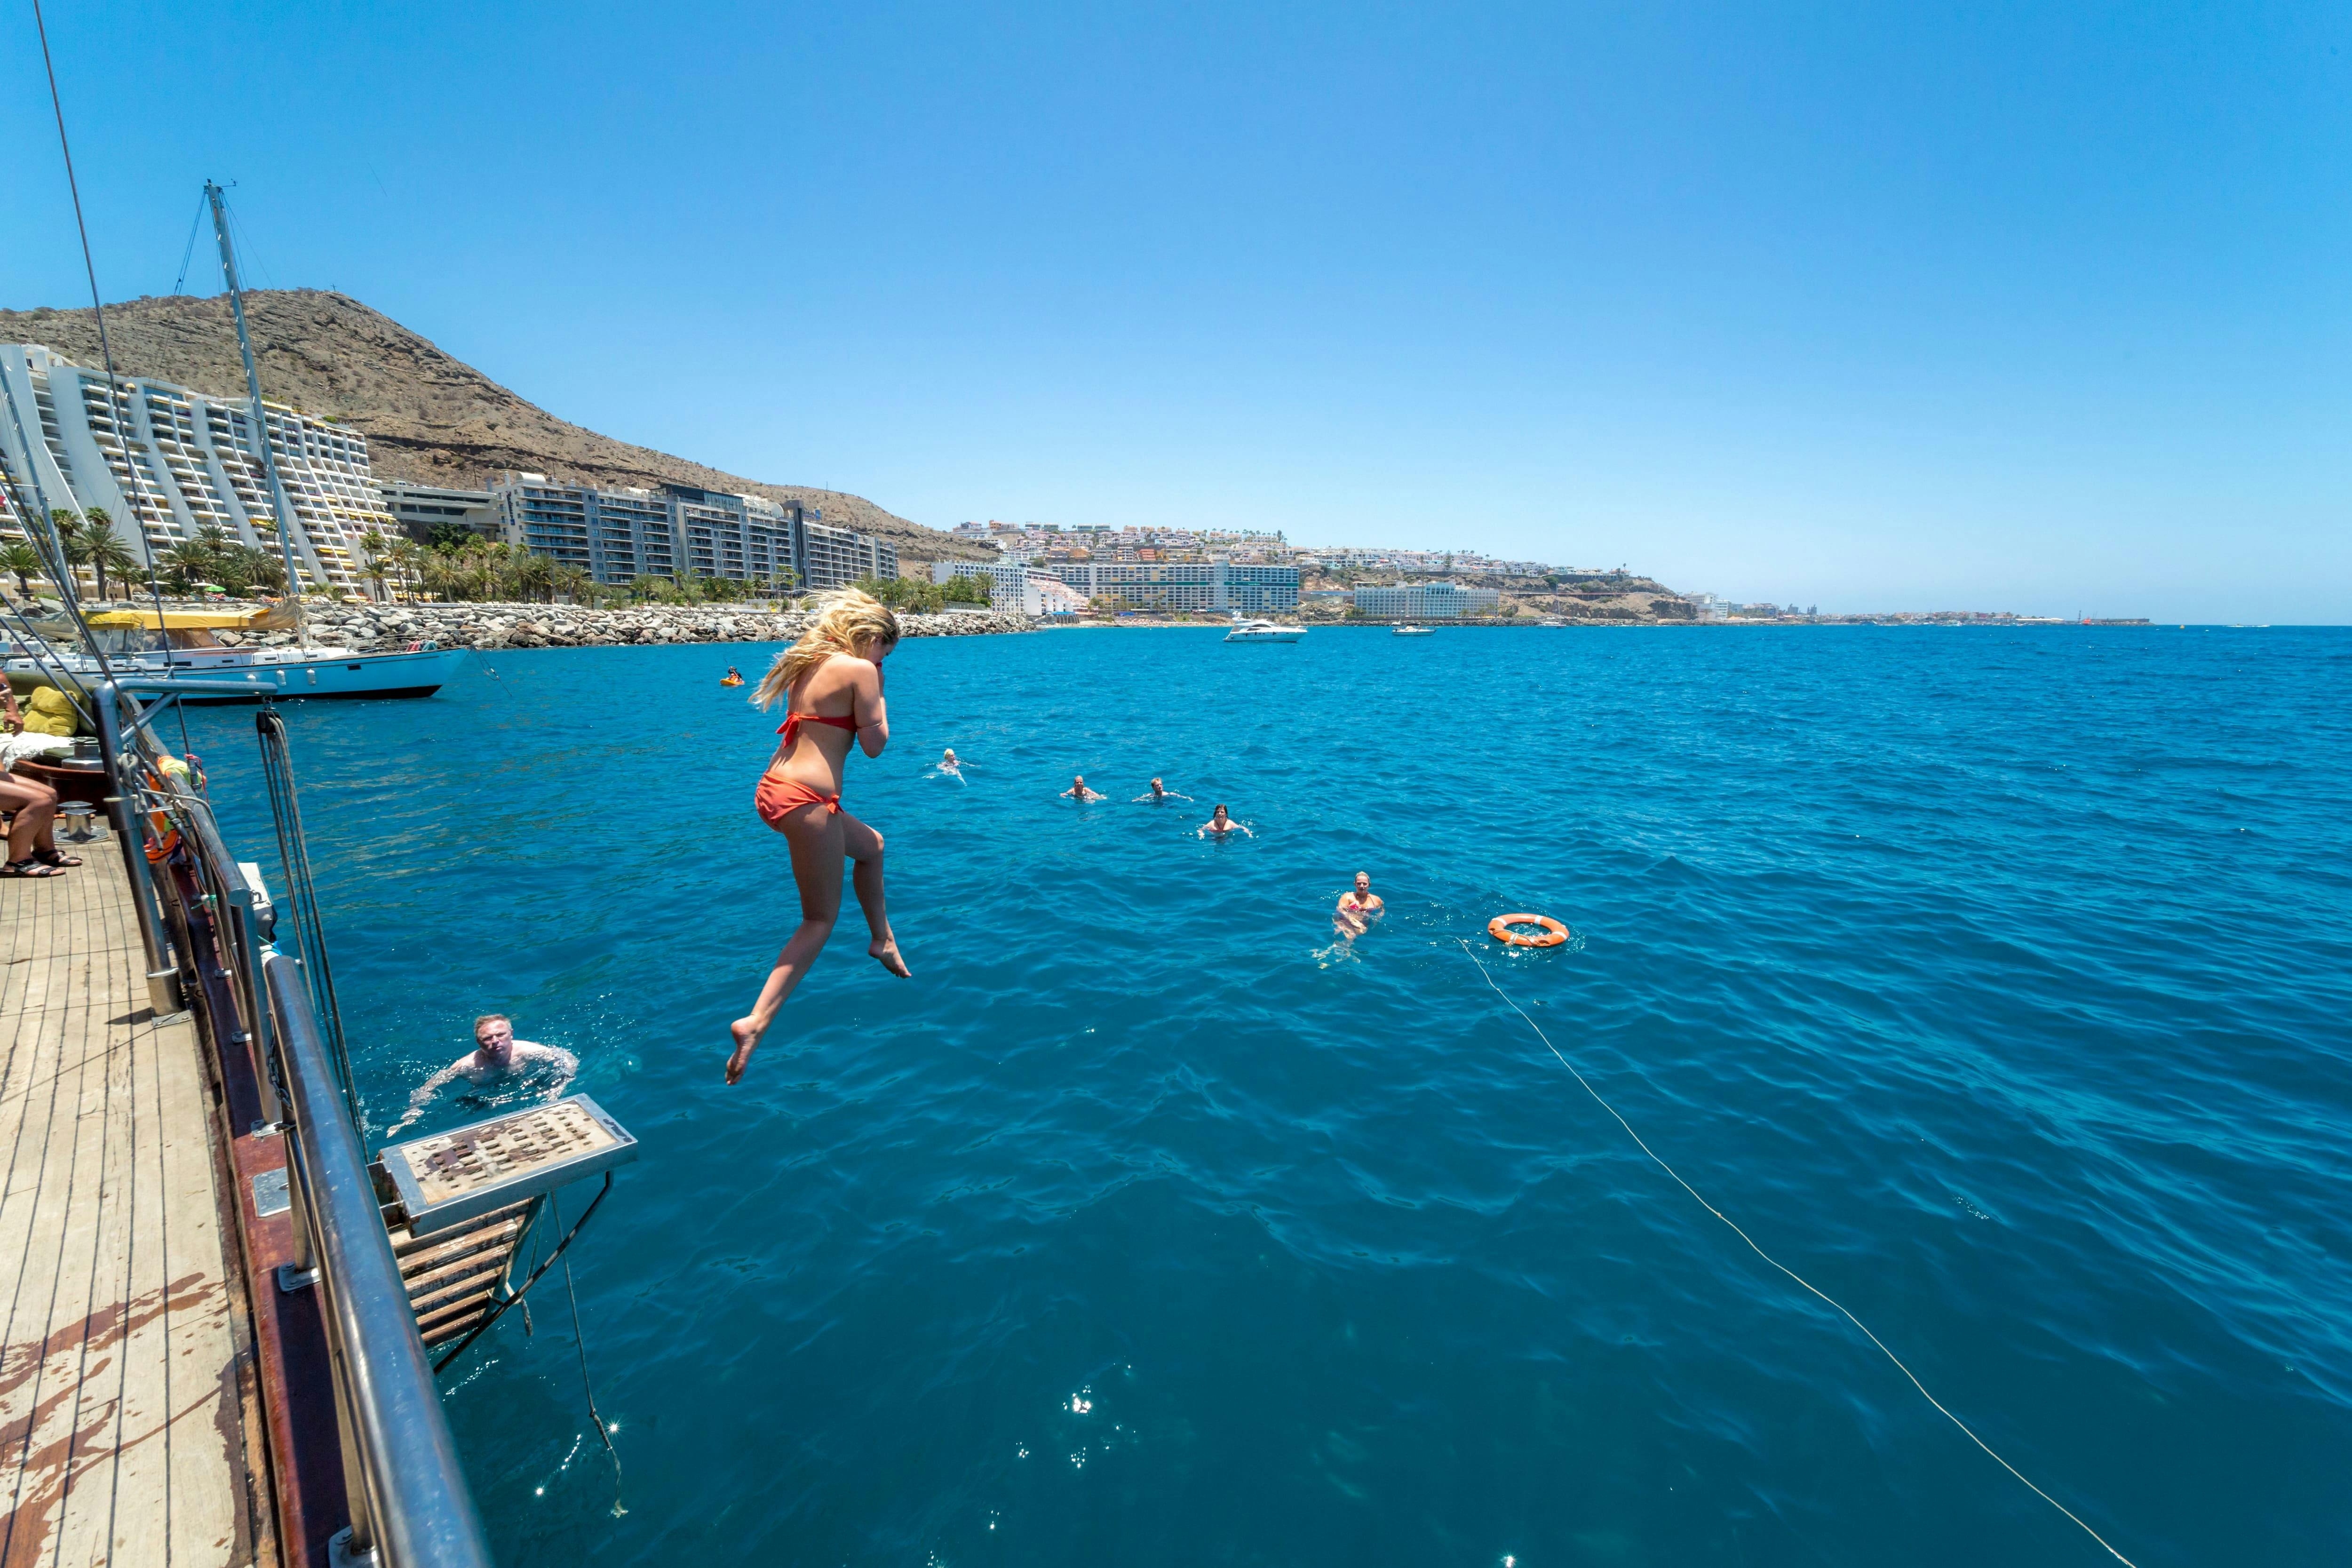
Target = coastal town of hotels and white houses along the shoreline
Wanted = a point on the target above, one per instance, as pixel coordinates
(156, 474)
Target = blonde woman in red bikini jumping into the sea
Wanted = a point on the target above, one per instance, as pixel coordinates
(831, 688)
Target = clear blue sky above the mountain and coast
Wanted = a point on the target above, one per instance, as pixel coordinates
(1899, 307)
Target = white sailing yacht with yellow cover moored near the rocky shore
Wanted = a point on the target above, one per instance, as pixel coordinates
(182, 645)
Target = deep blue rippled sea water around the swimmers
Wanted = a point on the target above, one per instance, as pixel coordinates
(1996, 981)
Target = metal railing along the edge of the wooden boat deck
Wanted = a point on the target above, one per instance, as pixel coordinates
(403, 1482)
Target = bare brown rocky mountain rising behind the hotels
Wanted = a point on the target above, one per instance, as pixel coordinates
(427, 417)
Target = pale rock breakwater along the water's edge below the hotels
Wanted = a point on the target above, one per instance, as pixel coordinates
(575, 626)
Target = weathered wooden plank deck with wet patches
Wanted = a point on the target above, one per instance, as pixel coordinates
(126, 1369)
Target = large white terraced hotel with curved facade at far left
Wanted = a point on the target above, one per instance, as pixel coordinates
(168, 462)
